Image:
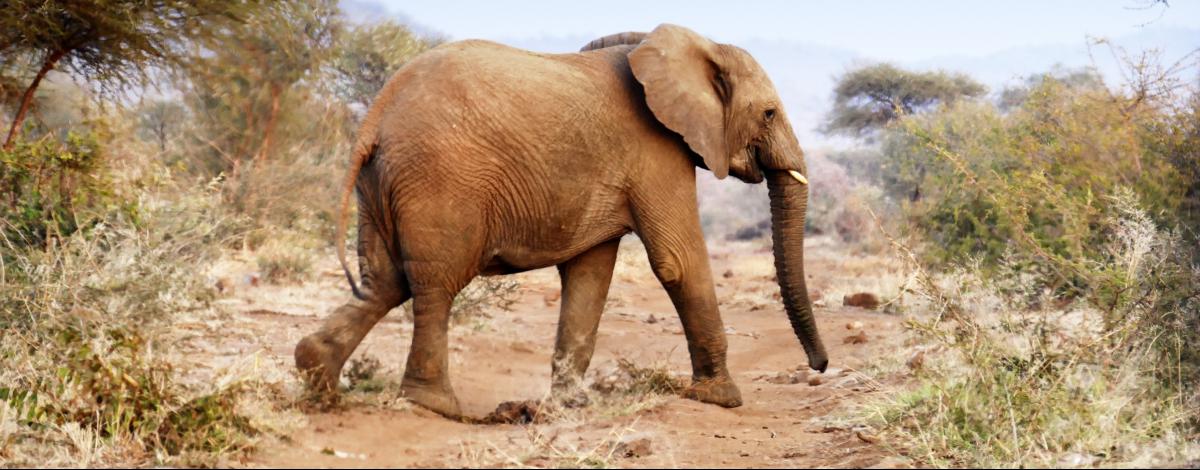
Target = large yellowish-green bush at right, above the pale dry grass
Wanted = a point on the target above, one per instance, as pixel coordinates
(977, 179)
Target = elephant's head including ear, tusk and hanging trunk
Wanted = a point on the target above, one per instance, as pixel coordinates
(721, 101)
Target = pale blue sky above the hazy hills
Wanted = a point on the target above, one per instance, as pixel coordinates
(893, 31)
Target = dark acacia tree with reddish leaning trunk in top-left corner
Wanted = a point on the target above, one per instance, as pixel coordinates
(111, 44)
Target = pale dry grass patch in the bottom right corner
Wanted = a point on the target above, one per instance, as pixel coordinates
(1053, 387)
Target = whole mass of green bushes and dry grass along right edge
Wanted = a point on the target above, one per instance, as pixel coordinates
(1058, 306)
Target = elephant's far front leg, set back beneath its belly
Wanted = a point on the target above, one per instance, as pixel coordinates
(586, 280)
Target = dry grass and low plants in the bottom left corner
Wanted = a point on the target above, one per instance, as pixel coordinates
(89, 365)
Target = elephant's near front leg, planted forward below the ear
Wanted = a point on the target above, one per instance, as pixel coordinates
(676, 248)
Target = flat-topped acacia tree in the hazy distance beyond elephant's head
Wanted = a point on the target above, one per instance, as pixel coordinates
(867, 99)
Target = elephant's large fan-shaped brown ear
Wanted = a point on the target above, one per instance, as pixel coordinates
(687, 89)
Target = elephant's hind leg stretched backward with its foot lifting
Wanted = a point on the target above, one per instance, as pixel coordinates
(320, 357)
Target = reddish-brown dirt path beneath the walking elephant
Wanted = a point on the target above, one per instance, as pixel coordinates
(507, 358)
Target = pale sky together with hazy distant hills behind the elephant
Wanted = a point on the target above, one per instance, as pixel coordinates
(805, 46)
